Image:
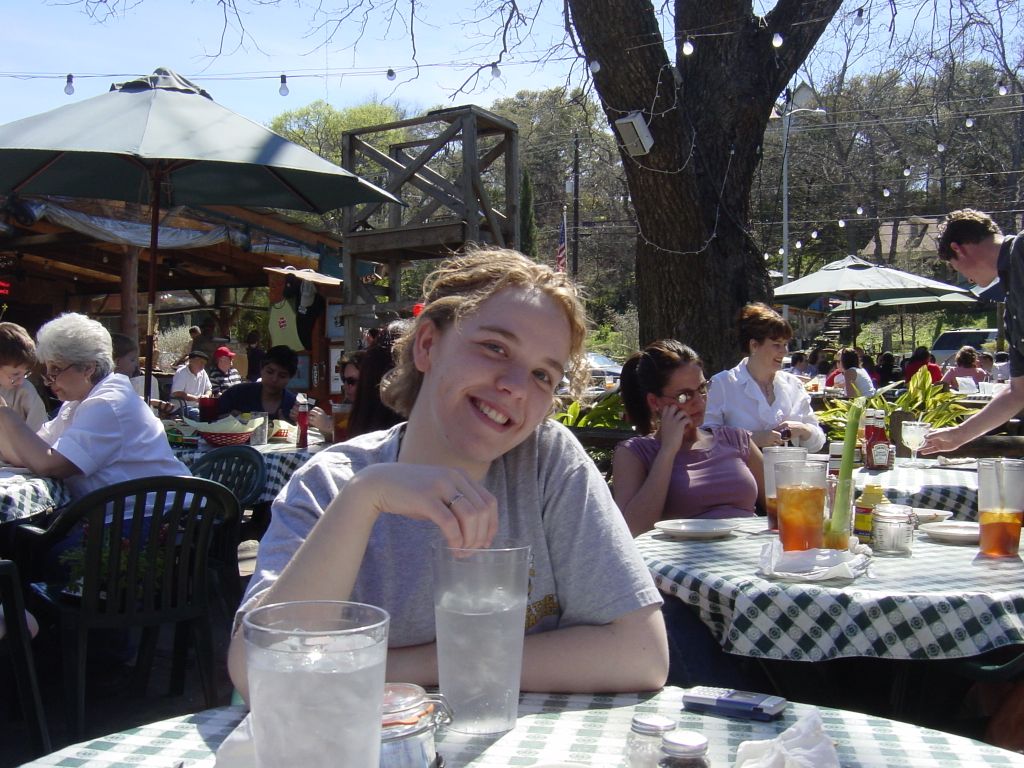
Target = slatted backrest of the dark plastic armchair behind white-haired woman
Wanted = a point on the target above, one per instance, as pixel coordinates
(144, 547)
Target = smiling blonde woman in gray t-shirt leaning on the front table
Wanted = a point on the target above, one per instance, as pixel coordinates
(478, 464)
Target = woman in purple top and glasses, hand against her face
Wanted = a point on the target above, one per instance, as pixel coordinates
(676, 467)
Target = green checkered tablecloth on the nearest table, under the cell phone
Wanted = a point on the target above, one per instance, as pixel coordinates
(589, 731)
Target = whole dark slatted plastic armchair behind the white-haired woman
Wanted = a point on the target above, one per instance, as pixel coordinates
(145, 547)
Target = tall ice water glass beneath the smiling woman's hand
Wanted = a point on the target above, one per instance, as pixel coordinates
(481, 614)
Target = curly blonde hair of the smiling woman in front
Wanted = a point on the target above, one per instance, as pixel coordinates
(458, 288)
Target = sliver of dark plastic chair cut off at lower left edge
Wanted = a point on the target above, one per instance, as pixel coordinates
(18, 643)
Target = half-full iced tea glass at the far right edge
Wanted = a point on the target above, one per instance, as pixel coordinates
(1001, 506)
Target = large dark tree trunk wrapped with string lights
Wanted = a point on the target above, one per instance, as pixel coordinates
(697, 264)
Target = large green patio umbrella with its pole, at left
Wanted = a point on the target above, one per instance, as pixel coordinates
(163, 141)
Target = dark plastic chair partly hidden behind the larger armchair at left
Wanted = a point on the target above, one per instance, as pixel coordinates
(242, 471)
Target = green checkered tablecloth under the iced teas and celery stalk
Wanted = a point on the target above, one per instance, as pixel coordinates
(944, 603)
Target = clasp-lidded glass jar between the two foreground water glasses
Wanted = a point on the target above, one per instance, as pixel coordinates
(410, 718)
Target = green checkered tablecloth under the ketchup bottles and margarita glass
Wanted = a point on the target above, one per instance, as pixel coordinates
(932, 488)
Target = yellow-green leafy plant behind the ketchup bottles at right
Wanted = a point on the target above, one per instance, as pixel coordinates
(926, 401)
